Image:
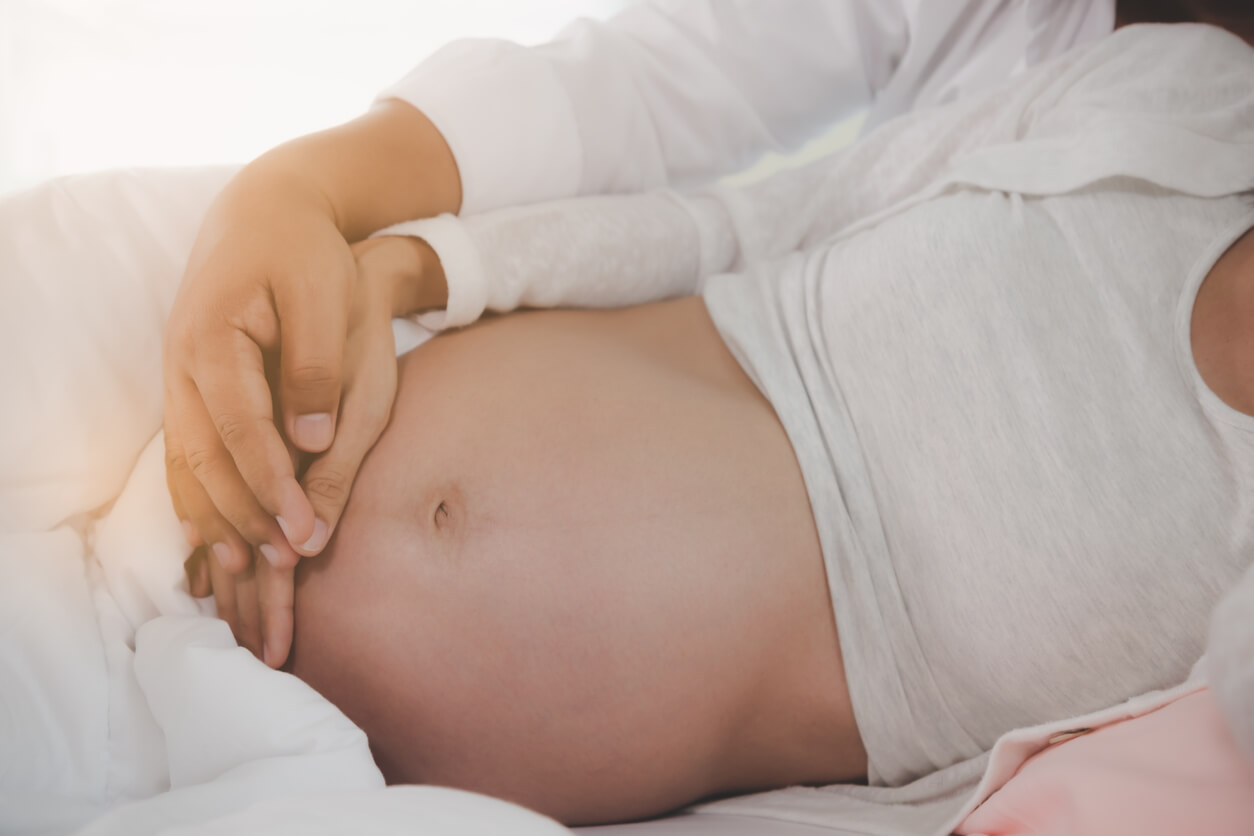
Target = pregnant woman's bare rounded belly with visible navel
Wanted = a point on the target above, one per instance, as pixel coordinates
(580, 572)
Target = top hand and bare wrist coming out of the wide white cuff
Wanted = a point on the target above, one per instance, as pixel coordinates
(274, 248)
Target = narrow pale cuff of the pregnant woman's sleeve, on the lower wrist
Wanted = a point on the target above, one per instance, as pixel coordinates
(463, 269)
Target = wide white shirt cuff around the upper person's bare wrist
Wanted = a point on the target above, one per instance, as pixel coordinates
(507, 118)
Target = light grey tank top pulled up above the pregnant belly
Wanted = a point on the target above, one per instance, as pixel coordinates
(1028, 513)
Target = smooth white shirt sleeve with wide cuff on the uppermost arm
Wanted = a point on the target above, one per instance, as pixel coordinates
(665, 93)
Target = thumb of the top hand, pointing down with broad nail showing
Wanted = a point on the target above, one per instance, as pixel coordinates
(314, 333)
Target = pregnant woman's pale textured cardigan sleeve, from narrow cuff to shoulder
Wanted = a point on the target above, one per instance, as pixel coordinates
(1128, 92)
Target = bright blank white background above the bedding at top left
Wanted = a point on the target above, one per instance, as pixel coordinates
(92, 85)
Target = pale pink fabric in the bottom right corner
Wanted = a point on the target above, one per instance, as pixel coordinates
(1173, 771)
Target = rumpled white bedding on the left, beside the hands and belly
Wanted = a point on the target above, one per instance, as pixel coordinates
(126, 709)
